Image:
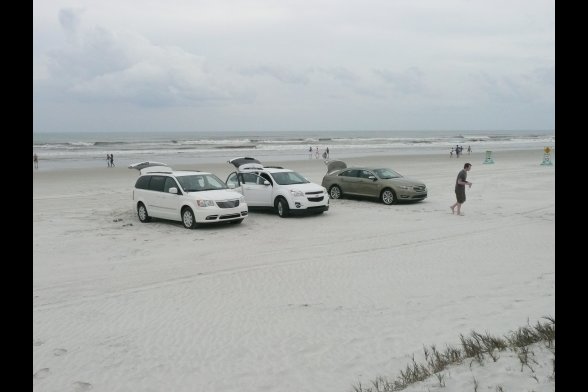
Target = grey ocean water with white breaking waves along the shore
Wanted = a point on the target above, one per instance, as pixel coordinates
(82, 150)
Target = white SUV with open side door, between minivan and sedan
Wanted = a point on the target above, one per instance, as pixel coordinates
(284, 190)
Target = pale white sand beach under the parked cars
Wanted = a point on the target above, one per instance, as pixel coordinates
(310, 303)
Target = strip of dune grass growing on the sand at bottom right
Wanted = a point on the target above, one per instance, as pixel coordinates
(476, 347)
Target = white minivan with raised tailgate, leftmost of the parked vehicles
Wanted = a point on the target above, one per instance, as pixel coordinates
(192, 197)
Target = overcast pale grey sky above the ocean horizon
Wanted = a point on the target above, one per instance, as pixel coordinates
(240, 65)
